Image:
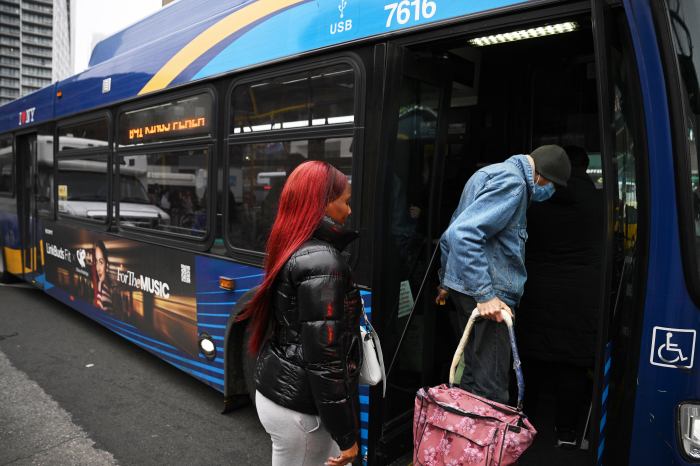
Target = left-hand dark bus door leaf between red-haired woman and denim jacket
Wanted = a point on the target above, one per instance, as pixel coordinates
(414, 141)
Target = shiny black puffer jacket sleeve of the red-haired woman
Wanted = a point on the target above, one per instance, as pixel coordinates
(321, 301)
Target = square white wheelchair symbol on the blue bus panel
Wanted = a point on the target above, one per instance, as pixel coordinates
(673, 347)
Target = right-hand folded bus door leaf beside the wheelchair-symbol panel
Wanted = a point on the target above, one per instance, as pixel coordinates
(623, 152)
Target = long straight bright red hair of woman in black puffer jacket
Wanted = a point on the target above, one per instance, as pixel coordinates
(306, 193)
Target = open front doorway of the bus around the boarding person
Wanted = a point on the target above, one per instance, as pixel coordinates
(451, 109)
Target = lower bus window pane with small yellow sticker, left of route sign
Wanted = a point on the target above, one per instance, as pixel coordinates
(82, 186)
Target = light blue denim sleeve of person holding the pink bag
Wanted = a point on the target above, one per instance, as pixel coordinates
(489, 213)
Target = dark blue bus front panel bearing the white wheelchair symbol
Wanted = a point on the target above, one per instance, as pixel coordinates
(668, 308)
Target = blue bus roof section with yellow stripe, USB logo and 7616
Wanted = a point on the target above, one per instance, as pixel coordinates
(192, 40)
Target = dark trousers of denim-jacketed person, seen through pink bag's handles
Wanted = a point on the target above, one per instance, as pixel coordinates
(487, 357)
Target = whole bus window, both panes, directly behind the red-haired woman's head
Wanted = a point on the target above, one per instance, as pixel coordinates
(258, 168)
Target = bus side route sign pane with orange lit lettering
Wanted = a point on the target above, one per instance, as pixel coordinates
(183, 118)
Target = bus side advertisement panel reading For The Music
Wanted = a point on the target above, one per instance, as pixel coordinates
(143, 292)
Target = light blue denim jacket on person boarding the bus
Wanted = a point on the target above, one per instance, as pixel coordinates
(483, 248)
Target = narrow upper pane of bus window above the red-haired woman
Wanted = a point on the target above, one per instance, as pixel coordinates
(319, 97)
